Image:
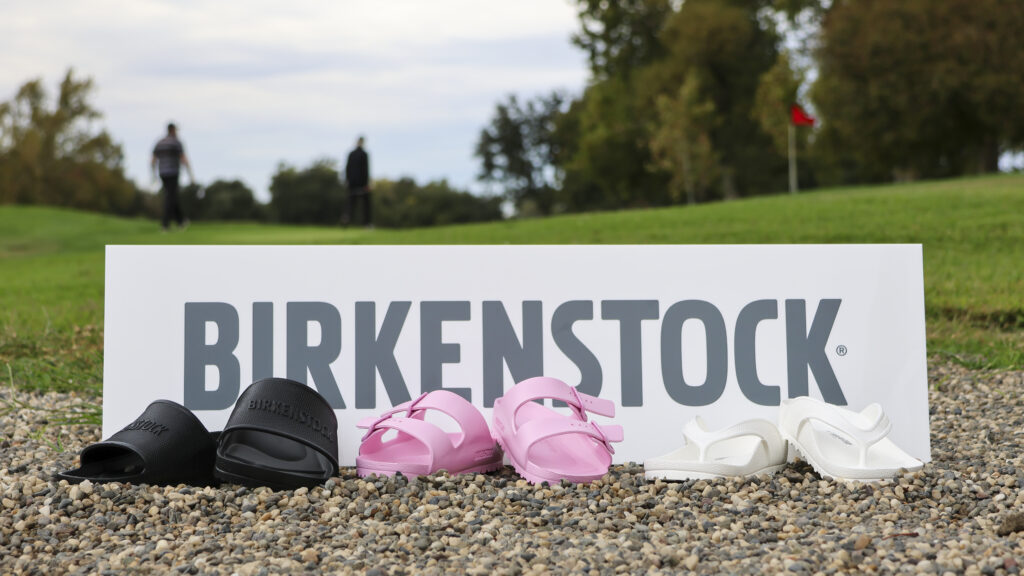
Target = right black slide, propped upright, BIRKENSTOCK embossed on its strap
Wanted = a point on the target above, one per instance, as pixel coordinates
(281, 434)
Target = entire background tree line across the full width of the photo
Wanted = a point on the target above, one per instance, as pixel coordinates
(688, 102)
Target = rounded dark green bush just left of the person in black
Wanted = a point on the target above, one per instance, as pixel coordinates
(311, 196)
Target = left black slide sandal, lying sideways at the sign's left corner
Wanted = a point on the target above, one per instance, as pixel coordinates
(165, 445)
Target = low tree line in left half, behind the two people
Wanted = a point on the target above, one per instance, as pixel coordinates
(53, 152)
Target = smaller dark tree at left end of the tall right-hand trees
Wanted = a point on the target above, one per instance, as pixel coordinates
(520, 150)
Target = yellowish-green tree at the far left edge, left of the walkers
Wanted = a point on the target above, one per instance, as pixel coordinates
(53, 153)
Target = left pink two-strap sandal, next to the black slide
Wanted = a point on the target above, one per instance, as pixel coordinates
(422, 448)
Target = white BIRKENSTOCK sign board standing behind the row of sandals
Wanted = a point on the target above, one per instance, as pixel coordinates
(666, 333)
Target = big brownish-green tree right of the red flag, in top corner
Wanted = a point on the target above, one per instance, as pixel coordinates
(919, 89)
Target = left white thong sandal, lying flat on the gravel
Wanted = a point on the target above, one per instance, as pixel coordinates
(750, 448)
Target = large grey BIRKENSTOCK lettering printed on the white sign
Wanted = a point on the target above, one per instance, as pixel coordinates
(502, 347)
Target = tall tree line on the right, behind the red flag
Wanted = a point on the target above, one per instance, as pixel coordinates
(689, 101)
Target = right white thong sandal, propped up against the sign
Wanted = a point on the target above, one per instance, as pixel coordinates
(843, 444)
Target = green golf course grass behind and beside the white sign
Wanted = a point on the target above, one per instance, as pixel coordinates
(52, 261)
